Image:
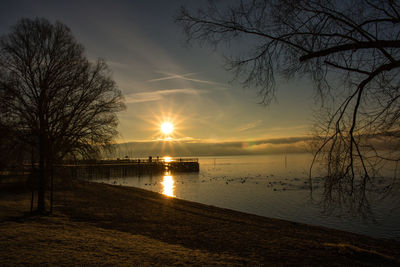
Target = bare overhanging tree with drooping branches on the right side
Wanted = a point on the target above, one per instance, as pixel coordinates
(350, 49)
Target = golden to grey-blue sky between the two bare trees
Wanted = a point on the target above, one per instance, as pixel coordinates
(164, 79)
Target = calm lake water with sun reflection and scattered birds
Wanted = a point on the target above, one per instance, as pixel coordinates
(276, 186)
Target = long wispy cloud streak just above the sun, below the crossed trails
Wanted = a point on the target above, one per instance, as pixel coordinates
(159, 94)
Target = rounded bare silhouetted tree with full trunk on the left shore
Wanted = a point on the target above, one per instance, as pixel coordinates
(56, 101)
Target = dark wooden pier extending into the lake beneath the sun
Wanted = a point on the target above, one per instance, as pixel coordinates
(92, 169)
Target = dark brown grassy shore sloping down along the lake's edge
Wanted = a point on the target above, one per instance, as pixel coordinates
(98, 224)
